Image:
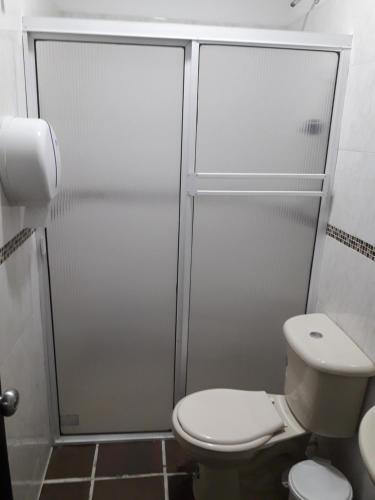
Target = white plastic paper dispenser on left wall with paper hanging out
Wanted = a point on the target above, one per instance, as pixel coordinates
(29, 166)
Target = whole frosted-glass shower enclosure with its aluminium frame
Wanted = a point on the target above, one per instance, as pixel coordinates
(190, 223)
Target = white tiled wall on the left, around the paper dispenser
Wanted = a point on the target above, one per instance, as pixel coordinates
(22, 357)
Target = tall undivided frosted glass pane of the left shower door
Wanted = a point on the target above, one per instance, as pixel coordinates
(113, 236)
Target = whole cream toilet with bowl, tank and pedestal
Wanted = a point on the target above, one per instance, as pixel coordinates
(325, 382)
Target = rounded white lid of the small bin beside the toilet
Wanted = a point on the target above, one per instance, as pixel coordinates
(314, 480)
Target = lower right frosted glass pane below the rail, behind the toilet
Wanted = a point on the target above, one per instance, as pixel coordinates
(250, 272)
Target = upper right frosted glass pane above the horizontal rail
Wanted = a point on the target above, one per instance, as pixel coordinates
(264, 110)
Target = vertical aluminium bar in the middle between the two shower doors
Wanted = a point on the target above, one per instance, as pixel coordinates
(186, 215)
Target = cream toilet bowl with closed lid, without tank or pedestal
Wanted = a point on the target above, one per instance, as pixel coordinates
(212, 426)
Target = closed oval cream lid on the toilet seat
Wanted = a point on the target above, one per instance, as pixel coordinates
(226, 416)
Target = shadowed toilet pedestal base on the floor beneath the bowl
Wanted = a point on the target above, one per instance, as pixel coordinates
(216, 483)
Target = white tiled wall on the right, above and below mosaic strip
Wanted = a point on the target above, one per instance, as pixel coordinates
(347, 287)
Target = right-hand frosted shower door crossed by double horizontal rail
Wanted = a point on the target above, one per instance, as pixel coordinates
(263, 125)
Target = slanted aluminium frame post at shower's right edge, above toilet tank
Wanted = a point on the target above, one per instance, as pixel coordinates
(332, 153)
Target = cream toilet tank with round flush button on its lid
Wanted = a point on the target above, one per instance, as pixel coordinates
(326, 376)
